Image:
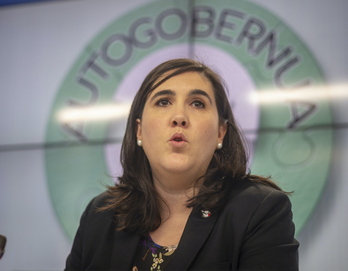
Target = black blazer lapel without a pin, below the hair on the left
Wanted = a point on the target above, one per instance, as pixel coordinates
(124, 248)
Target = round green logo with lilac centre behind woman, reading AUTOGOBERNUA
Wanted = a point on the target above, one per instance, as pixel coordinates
(252, 49)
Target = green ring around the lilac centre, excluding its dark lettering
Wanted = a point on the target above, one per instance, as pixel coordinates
(298, 158)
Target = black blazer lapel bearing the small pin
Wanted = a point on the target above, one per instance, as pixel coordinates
(197, 230)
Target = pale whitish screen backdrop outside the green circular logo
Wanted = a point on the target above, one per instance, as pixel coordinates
(38, 45)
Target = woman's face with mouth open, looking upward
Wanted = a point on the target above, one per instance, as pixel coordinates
(179, 128)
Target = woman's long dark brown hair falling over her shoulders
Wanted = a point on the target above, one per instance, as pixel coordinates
(134, 197)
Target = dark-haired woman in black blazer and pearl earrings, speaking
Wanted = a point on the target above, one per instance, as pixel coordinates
(185, 200)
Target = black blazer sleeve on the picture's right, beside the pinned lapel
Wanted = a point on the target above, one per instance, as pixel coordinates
(269, 242)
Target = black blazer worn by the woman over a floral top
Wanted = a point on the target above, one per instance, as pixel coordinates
(254, 231)
